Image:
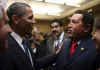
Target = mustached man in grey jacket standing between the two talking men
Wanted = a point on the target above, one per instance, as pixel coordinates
(56, 39)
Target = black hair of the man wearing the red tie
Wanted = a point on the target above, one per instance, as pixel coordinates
(87, 18)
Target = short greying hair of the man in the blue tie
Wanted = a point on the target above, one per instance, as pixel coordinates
(17, 9)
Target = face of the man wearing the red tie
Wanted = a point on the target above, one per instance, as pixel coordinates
(75, 27)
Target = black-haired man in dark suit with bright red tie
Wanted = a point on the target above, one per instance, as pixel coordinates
(82, 55)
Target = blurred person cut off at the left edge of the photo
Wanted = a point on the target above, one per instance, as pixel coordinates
(4, 30)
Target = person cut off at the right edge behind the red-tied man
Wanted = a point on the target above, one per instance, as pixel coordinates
(96, 37)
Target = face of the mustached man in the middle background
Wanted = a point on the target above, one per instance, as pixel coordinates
(56, 28)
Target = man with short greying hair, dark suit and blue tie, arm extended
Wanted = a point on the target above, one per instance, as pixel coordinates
(19, 56)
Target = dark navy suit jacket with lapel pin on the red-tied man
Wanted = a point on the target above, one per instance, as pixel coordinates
(82, 59)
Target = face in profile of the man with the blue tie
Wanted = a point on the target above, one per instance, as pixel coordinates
(25, 23)
